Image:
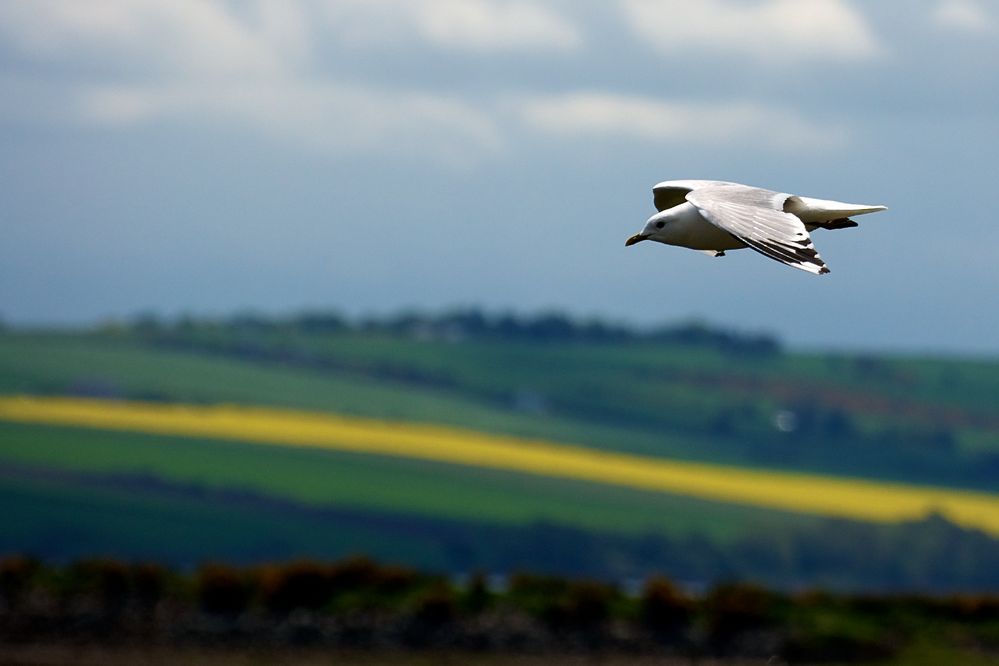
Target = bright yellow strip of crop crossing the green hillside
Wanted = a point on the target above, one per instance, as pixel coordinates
(805, 493)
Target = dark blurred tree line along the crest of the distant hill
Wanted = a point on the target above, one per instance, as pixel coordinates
(476, 324)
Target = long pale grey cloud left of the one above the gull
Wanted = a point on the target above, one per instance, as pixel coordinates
(329, 117)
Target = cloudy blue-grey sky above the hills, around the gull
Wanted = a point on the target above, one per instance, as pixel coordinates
(212, 157)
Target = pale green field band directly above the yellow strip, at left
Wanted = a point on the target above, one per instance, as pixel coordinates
(61, 364)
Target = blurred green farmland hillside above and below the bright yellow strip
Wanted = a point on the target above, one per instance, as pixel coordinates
(689, 393)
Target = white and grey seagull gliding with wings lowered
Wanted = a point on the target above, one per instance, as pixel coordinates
(715, 215)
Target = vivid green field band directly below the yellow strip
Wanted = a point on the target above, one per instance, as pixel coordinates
(352, 480)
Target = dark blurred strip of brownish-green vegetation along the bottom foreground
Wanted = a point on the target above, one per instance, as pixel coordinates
(356, 603)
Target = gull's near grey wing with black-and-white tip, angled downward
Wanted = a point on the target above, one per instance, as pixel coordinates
(756, 217)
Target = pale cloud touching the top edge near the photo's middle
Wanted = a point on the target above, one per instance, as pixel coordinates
(485, 26)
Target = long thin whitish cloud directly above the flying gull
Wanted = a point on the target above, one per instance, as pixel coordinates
(648, 119)
